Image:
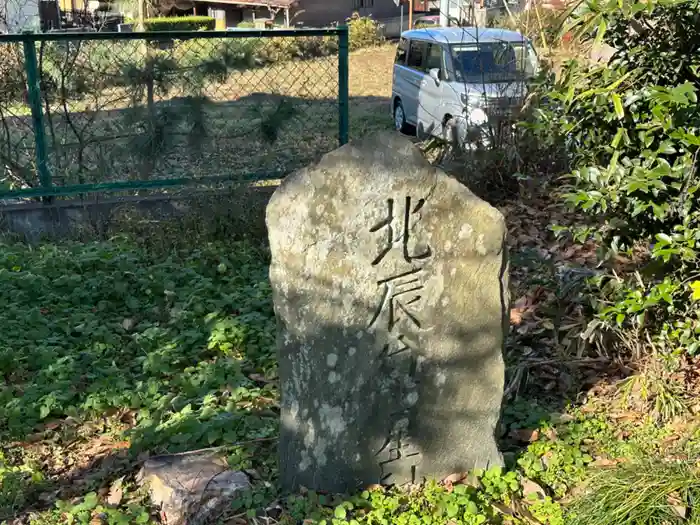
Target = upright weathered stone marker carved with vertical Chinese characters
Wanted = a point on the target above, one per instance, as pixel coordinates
(389, 284)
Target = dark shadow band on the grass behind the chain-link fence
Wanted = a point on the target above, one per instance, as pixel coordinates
(258, 135)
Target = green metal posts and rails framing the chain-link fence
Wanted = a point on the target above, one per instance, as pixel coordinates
(48, 189)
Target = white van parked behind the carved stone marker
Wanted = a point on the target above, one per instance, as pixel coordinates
(460, 83)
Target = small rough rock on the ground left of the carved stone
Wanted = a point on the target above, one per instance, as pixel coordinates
(191, 488)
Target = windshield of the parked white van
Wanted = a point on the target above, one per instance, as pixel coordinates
(493, 61)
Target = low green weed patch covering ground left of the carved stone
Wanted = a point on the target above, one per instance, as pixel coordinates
(172, 354)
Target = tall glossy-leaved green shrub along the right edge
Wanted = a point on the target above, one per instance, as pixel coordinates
(633, 130)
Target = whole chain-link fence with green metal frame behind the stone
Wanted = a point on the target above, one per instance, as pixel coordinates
(125, 111)
